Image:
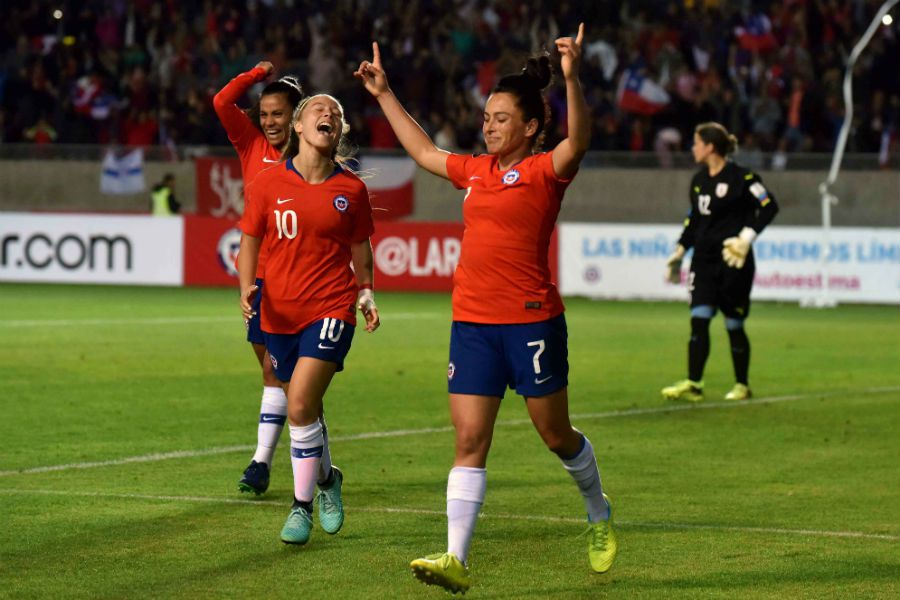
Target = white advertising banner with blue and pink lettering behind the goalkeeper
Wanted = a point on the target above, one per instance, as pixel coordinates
(628, 261)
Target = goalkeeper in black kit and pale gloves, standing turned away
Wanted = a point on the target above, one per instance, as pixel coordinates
(730, 206)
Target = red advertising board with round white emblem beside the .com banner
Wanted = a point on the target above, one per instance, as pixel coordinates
(210, 247)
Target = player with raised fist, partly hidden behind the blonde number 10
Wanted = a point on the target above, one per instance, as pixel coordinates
(259, 136)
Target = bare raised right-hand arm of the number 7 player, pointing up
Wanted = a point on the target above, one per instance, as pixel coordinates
(568, 153)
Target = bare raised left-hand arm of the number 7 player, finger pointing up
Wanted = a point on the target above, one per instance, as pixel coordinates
(414, 139)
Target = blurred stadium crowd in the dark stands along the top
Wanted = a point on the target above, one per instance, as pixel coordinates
(143, 72)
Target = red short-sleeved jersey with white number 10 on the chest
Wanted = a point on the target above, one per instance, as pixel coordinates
(309, 229)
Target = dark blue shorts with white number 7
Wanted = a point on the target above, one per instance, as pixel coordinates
(530, 358)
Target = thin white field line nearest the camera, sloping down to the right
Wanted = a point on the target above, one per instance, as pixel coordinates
(437, 513)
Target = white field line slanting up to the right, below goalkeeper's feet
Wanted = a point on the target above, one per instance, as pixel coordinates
(155, 457)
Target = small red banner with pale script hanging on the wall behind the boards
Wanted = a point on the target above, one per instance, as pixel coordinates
(220, 188)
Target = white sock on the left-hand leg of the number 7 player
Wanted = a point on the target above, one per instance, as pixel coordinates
(465, 495)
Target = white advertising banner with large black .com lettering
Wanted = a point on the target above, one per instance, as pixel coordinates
(82, 248)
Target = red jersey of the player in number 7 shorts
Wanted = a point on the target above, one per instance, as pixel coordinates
(503, 274)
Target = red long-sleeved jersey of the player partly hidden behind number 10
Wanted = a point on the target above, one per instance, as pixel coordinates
(254, 150)
